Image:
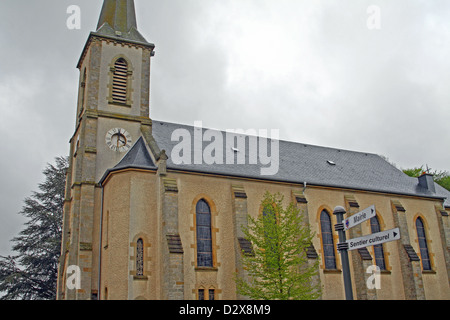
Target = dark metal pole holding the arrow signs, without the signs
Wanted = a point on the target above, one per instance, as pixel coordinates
(343, 250)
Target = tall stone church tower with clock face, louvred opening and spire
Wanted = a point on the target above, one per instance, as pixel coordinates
(112, 114)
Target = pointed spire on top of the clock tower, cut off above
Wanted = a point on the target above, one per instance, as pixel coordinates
(118, 19)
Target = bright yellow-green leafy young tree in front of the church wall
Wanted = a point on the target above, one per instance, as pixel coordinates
(278, 266)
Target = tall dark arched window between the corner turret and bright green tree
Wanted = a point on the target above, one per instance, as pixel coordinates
(204, 234)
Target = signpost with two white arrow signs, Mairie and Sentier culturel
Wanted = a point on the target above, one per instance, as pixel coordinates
(345, 245)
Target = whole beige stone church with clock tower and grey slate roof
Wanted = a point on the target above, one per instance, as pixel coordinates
(141, 224)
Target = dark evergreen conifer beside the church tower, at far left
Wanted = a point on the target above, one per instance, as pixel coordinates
(31, 273)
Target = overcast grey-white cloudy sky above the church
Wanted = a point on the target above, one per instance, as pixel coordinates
(311, 68)
